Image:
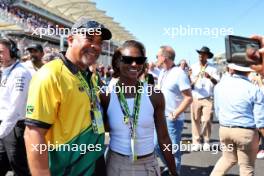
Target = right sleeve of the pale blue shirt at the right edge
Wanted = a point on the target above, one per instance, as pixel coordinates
(258, 109)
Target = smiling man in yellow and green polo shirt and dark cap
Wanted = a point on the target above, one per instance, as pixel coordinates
(64, 133)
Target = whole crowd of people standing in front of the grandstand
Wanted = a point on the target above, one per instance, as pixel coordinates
(55, 100)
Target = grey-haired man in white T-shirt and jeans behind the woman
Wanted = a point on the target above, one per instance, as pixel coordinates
(175, 85)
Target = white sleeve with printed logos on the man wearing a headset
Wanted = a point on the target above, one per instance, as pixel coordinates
(18, 96)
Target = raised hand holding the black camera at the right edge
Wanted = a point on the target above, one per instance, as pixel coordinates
(260, 67)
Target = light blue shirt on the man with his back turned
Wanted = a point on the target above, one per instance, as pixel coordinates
(238, 102)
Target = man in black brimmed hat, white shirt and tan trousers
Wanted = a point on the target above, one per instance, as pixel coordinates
(204, 77)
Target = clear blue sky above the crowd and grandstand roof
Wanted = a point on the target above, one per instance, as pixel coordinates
(153, 21)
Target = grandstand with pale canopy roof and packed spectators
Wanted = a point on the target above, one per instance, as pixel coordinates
(20, 19)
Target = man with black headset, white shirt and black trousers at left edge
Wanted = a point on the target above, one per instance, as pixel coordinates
(14, 83)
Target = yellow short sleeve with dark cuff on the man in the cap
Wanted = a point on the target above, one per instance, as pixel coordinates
(43, 99)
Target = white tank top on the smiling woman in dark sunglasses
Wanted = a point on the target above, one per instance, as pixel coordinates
(120, 132)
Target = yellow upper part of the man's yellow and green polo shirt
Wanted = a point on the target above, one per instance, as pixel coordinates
(57, 98)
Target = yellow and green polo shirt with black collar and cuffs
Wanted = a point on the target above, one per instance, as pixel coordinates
(59, 103)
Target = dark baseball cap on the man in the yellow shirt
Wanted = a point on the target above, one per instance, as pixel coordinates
(86, 23)
